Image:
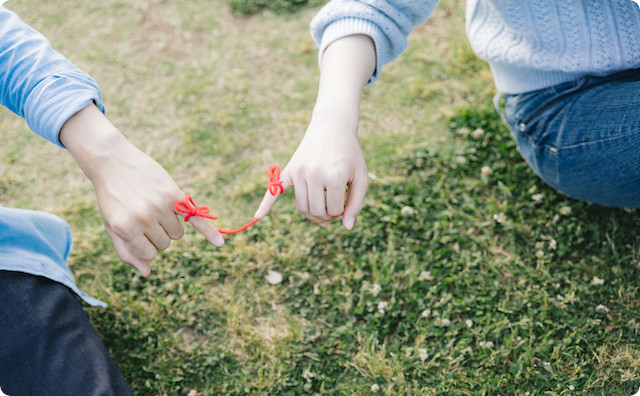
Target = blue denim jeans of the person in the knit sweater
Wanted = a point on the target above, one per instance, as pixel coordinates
(583, 137)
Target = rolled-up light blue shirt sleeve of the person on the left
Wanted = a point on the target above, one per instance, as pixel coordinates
(36, 82)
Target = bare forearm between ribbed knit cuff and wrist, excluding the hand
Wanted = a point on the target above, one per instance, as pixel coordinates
(347, 65)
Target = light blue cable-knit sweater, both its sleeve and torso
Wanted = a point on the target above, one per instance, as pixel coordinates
(529, 44)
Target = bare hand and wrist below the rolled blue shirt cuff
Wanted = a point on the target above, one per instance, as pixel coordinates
(135, 194)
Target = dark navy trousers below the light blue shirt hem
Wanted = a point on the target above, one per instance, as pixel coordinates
(47, 344)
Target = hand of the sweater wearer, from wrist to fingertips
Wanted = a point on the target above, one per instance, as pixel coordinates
(327, 162)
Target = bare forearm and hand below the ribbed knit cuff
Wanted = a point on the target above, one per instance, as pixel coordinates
(329, 165)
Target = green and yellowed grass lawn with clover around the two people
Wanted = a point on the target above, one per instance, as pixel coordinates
(464, 275)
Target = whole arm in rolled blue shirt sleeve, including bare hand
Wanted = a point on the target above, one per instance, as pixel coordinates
(63, 105)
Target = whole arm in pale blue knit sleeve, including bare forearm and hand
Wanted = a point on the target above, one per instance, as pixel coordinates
(356, 38)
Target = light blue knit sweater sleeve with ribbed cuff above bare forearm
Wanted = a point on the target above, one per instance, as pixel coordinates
(387, 22)
